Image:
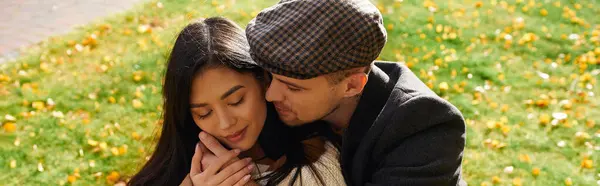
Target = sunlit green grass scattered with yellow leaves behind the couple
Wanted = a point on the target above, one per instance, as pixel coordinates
(95, 88)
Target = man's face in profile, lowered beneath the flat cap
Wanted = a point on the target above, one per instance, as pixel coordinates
(303, 101)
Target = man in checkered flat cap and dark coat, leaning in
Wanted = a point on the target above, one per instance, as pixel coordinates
(321, 55)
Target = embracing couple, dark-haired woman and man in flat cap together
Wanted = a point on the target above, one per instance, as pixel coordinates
(299, 99)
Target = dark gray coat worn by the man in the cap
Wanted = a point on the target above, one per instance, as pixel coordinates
(402, 133)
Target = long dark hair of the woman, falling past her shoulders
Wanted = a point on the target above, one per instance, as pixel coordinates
(209, 43)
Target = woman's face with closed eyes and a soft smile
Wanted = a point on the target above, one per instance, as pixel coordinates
(228, 105)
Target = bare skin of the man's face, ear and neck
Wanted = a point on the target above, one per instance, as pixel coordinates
(301, 101)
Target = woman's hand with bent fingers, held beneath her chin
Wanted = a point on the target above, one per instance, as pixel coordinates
(218, 173)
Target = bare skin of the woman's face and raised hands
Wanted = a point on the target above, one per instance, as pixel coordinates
(223, 103)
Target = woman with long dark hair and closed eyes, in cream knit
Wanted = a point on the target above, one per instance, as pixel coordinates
(212, 85)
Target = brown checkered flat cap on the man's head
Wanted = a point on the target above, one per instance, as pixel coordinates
(306, 38)
